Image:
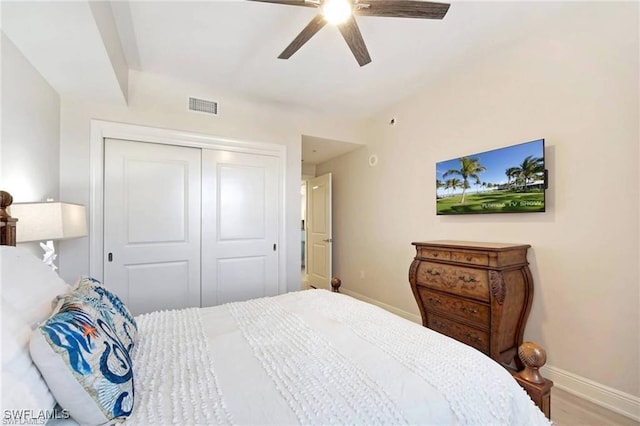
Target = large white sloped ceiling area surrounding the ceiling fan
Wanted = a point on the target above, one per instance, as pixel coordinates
(233, 46)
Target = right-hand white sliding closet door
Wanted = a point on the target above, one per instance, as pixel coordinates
(239, 226)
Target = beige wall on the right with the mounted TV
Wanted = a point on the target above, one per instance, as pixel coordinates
(574, 83)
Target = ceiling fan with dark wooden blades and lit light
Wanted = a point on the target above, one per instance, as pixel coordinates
(342, 13)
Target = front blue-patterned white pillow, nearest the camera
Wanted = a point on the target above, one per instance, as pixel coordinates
(86, 366)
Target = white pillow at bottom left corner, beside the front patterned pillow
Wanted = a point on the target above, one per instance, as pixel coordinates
(22, 385)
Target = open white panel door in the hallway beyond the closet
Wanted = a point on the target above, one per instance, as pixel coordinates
(319, 240)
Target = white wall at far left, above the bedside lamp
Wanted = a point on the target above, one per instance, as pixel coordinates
(30, 129)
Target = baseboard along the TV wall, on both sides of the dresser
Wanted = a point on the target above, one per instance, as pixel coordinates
(599, 394)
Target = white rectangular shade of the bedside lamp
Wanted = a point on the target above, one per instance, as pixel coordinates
(52, 220)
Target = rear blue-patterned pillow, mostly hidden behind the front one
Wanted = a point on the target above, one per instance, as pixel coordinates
(113, 311)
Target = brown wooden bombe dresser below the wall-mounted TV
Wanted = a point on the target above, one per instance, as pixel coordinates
(477, 293)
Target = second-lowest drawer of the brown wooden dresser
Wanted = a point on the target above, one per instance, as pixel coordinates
(475, 312)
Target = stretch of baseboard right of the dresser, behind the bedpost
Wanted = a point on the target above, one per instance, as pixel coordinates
(612, 399)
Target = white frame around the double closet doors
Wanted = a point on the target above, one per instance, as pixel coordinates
(101, 129)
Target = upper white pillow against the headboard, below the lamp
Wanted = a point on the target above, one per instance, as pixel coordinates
(28, 285)
